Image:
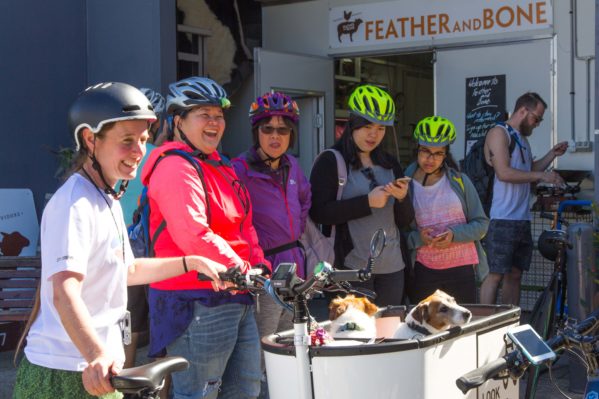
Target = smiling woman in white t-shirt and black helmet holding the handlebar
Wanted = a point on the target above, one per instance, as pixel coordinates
(75, 340)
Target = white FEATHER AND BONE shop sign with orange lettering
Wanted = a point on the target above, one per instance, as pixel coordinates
(404, 22)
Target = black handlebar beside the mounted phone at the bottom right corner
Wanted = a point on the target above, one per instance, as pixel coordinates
(516, 363)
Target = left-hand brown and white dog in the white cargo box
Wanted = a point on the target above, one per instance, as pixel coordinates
(352, 317)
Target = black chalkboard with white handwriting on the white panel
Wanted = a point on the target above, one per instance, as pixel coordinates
(485, 106)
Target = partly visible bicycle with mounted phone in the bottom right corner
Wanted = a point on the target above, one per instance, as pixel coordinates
(580, 337)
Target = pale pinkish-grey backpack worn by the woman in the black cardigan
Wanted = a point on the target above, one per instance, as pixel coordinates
(317, 247)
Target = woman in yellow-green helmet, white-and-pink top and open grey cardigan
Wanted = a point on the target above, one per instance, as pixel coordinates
(449, 219)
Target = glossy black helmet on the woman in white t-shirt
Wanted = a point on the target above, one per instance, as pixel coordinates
(108, 102)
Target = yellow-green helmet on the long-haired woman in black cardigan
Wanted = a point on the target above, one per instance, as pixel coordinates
(372, 104)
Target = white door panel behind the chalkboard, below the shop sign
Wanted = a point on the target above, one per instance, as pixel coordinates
(453, 67)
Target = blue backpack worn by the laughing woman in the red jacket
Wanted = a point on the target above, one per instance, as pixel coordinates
(142, 244)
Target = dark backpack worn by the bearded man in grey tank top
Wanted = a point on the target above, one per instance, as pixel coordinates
(480, 172)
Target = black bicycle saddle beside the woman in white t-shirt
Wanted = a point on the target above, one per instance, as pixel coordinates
(149, 376)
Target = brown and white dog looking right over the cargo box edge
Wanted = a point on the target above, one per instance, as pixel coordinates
(434, 314)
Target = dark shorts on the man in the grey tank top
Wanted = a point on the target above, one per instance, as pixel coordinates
(508, 244)
